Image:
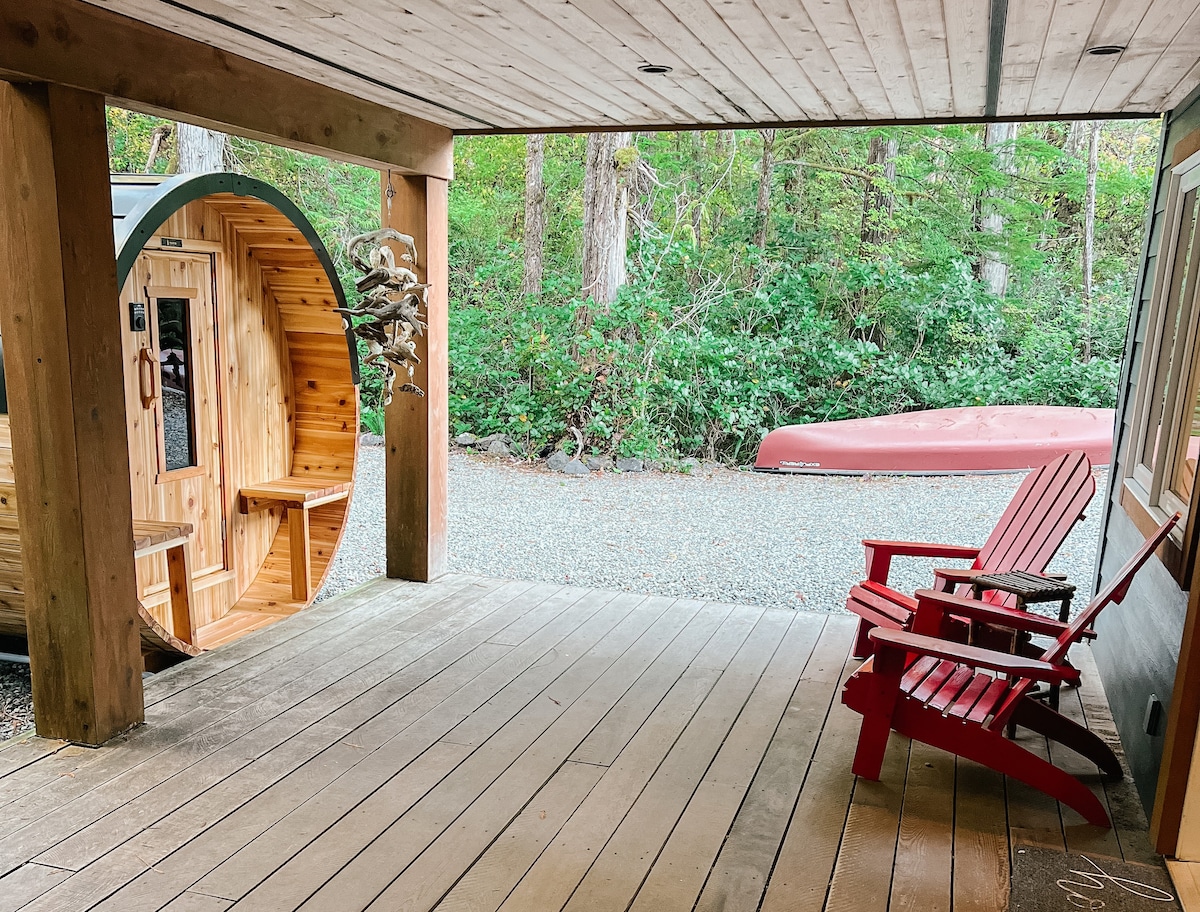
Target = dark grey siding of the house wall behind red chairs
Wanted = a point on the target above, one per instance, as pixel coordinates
(1139, 640)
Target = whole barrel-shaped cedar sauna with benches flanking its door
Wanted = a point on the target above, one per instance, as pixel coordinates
(242, 406)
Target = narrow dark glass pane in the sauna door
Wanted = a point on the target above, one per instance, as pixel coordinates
(176, 376)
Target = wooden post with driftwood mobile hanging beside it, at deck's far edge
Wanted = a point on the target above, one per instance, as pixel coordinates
(417, 429)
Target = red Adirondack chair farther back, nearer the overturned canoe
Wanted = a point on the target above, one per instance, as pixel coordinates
(1045, 509)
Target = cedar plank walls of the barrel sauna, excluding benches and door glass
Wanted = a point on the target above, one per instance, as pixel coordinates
(273, 395)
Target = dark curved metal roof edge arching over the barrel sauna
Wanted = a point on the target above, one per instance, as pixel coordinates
(145, 220)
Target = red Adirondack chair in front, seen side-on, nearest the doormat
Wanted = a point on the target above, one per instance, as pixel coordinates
(962, 699)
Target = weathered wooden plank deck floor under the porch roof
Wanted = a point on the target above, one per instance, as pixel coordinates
(482, 745)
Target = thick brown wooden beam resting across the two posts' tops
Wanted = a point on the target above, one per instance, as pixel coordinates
(155, 71)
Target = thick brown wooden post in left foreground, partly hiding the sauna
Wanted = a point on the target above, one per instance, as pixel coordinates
(59, 319)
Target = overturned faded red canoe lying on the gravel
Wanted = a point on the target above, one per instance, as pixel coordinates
(950, 441)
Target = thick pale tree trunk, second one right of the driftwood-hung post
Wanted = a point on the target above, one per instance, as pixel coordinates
(605, 201)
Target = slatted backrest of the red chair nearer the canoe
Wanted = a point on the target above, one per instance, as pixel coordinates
(1042, 513)
